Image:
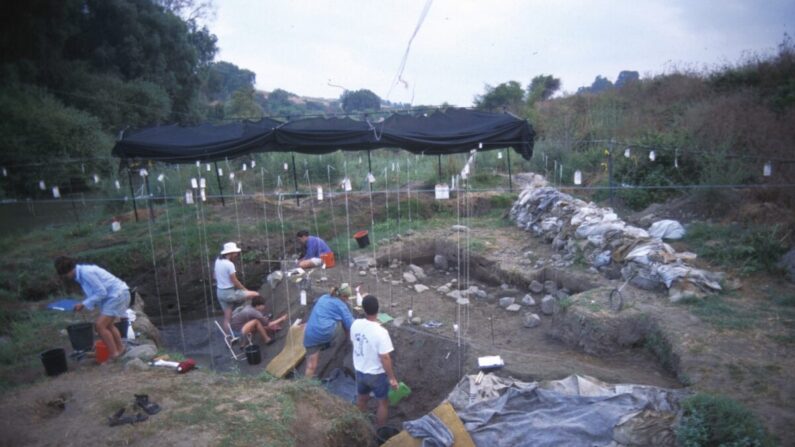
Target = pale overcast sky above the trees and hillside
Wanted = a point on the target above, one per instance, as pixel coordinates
(318, 48)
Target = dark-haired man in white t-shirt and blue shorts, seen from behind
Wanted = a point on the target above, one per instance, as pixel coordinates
(371, 360)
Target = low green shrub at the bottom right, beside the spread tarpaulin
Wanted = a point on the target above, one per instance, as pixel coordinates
(711, 420)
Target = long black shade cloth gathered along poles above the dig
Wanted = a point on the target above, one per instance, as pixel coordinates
(446, 131)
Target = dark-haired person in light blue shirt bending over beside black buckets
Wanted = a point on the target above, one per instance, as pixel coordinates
(102, 290)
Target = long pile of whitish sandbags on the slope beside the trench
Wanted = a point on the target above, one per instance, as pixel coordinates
(609, 244)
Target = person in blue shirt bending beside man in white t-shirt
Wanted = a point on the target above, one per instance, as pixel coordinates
(322, 324)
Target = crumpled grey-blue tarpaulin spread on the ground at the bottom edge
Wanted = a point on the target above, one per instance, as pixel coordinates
(576, 410)
